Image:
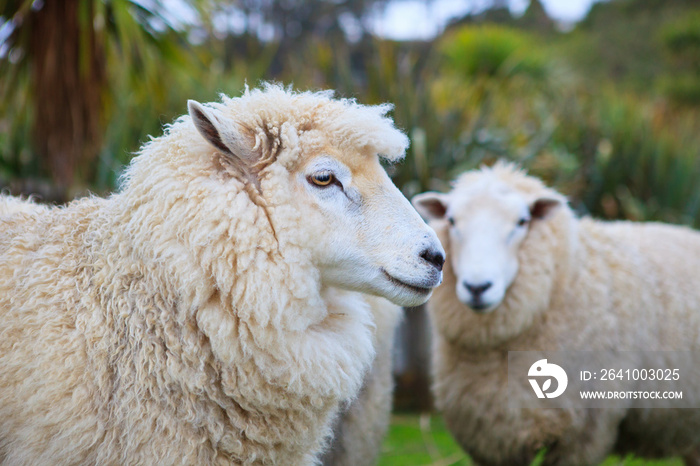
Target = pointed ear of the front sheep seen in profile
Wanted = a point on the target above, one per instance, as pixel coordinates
(222, 133)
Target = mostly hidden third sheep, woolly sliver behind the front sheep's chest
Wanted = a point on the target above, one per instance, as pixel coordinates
(359, 431)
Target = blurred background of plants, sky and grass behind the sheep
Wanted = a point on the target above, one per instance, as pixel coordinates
(600, 99)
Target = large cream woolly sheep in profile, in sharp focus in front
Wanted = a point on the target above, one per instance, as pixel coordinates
(213, 310)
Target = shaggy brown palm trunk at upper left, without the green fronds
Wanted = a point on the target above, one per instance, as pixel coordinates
(68, 79)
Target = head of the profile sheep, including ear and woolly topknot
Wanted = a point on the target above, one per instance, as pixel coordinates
(320, 158)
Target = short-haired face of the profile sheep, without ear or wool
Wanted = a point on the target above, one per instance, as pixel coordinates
(374, 241)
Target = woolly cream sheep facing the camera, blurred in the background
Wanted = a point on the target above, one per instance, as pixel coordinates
(525, 274)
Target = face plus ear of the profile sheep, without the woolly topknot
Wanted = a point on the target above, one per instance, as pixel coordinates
(361, 232)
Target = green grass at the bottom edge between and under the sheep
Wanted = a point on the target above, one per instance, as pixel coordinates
(423, 440)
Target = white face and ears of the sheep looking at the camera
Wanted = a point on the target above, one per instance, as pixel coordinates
(487, 226)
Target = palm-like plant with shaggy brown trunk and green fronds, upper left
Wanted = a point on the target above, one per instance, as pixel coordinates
(62, 50)
